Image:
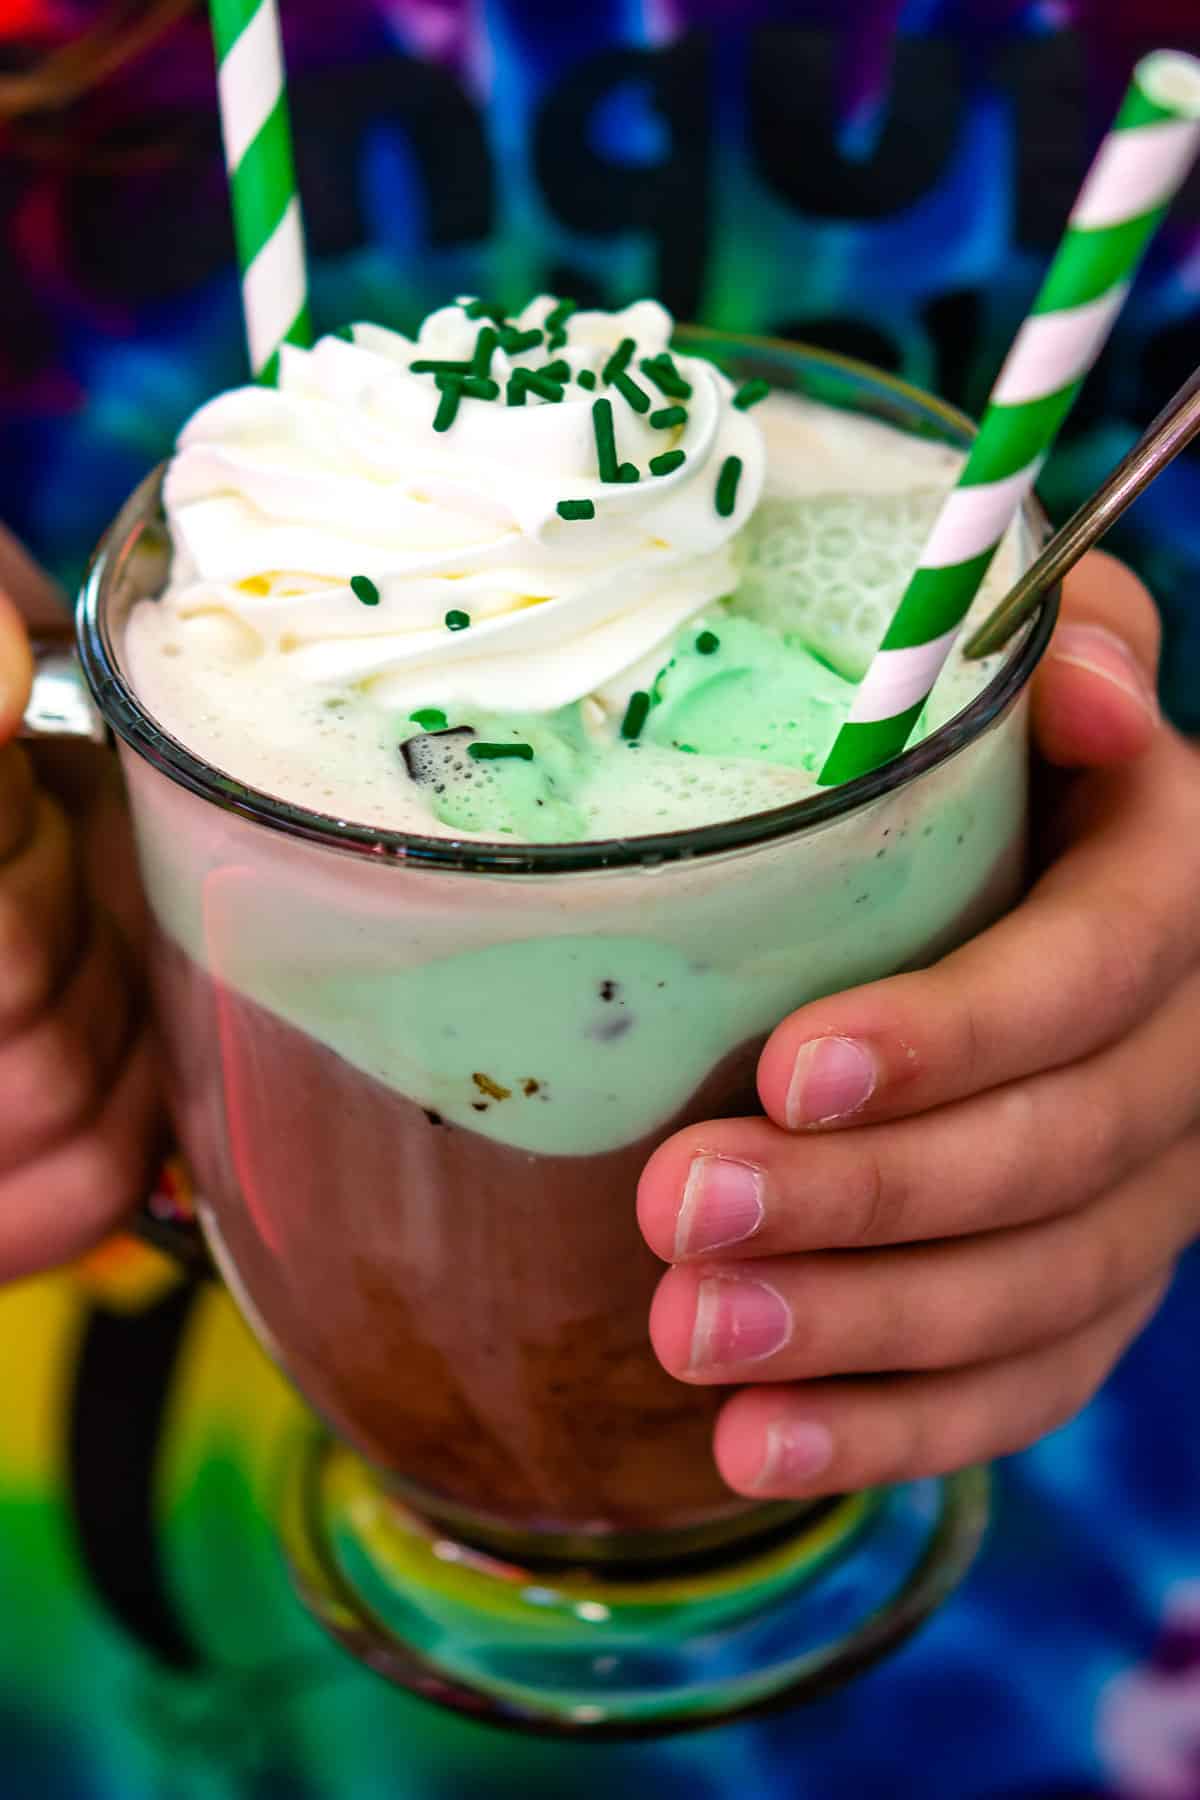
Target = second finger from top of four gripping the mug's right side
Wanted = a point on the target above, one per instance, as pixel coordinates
(1005, 1158)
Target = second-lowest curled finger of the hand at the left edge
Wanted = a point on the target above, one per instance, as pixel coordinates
(55, 1074)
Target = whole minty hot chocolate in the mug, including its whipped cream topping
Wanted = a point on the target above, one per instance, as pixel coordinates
(418, 1079)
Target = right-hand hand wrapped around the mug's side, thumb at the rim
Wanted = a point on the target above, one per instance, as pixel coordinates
(972, 1182)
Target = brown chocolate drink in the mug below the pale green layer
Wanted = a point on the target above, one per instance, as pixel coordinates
(470, 1317)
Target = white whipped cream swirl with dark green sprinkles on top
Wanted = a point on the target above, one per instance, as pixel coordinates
(278, 498)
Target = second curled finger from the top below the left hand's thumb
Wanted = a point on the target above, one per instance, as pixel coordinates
(40, 917)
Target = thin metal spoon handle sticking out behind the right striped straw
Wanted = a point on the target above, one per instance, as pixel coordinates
(1160, 445)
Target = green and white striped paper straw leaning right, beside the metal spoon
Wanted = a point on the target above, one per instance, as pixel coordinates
(1129, 188)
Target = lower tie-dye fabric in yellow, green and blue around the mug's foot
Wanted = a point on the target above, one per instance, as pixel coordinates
(152, 1650)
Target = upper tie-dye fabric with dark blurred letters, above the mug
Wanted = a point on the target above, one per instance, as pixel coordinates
(877, 175)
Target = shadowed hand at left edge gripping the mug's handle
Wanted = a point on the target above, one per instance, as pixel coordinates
(78, 1099)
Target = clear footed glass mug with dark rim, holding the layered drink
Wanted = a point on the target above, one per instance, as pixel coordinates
(416, 1081)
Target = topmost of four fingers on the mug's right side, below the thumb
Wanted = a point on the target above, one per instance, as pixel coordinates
(1089, 953)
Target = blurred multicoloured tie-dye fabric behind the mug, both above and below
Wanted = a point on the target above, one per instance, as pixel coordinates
(881, 177)
